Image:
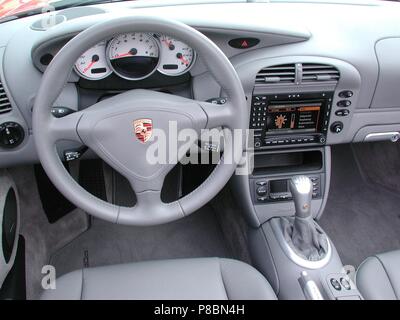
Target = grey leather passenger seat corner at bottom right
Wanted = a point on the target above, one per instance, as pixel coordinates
(378, 277)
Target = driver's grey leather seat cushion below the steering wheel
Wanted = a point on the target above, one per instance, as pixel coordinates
(203, 278)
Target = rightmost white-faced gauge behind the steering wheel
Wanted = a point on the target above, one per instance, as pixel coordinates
(176, 57)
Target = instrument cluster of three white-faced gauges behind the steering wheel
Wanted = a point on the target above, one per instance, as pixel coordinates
(136, 56)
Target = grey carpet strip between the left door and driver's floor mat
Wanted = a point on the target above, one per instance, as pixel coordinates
(41, 237)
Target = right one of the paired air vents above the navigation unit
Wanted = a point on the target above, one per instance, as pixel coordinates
(314, 73)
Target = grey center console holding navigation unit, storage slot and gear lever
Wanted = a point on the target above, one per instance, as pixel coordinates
(293, 127)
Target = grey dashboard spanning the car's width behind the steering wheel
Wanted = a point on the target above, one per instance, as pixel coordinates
(365, 55)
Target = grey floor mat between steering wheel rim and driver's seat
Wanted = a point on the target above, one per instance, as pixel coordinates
(198, 235)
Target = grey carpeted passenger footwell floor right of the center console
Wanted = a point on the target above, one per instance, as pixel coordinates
(361, 218)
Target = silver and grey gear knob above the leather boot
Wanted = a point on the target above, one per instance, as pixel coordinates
(301, 189)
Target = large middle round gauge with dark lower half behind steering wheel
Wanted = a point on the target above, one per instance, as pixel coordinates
(133, 56)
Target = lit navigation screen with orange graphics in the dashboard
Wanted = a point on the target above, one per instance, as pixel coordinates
(302, 117)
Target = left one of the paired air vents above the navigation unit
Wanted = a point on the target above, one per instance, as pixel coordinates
(282, 74)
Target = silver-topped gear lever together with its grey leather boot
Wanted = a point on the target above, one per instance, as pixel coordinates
(301, 233)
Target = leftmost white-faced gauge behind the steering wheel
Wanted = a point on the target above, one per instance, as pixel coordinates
(93, 64)
